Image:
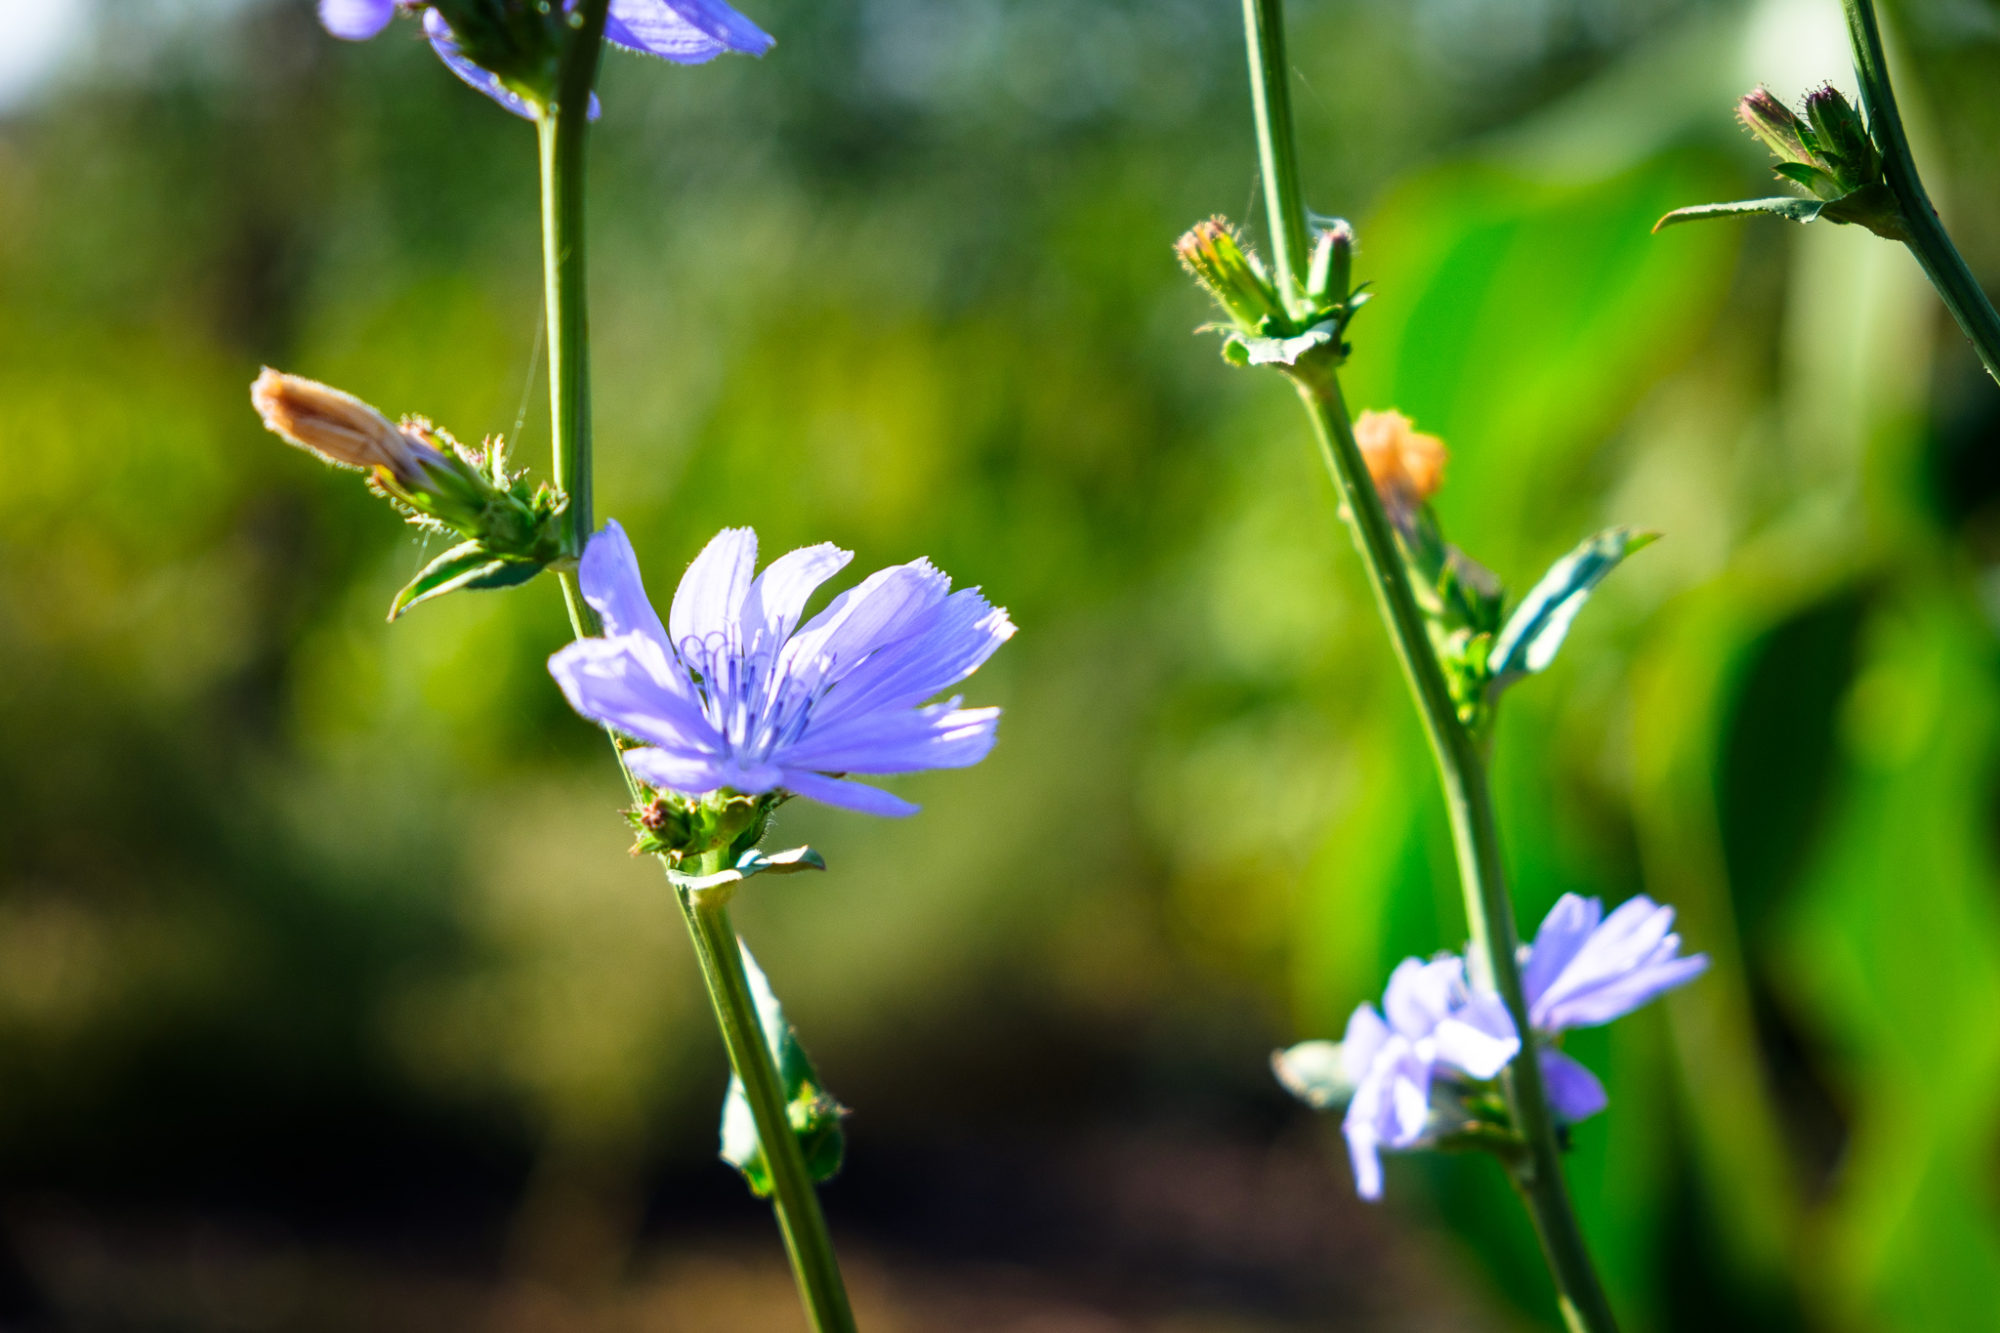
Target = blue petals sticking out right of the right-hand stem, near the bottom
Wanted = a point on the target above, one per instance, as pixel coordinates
(1587, 970)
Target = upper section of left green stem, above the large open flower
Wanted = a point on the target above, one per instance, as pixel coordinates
(565, 135)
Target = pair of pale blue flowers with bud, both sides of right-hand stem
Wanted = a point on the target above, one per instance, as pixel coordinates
(1421, 1070)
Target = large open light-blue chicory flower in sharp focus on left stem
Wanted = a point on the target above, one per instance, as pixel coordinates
(731, 694)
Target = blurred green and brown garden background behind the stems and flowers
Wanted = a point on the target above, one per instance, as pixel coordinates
(331, 1000)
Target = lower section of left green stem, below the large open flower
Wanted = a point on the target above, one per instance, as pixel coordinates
(793, 1196)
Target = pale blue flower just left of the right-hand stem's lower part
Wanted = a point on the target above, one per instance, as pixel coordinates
(1437, 1024)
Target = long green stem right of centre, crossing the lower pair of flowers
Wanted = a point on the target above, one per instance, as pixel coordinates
(1461, 768)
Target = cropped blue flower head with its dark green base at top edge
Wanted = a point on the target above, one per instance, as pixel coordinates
(509, 49)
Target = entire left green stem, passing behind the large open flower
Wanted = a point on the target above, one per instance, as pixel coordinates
(563, 139)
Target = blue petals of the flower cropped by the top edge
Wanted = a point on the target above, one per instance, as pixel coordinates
(679, 31)
